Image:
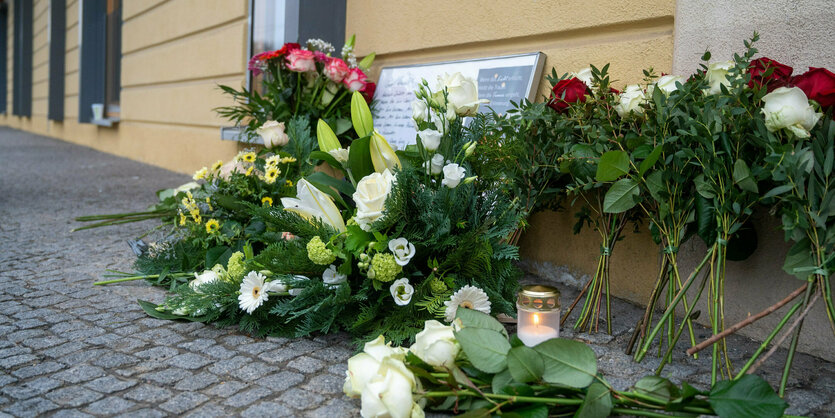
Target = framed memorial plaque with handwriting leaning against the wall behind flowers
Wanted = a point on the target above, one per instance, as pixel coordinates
(500, 80)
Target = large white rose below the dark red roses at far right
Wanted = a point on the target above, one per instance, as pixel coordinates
(789, 108)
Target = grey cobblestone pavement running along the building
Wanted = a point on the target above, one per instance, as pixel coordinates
(68, 348)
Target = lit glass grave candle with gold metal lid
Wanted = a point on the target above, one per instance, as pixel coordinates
(538, 314)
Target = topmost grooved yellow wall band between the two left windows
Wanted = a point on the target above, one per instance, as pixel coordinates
(178, 18)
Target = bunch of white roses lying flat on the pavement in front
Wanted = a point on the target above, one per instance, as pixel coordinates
(475, 368)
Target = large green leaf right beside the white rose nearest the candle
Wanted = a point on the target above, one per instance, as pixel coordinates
(486, 349)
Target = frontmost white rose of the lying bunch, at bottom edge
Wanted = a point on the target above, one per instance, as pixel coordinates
(389, 393)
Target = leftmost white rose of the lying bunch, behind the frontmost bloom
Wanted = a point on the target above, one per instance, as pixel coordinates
(363, 366)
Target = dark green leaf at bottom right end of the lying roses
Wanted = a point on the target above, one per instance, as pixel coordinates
(750, 396)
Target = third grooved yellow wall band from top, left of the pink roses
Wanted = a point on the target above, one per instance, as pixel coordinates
(187, 103)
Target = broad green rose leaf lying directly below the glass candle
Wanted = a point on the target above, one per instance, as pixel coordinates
(568, 363)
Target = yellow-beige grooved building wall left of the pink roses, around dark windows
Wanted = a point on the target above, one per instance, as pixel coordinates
(175, 52)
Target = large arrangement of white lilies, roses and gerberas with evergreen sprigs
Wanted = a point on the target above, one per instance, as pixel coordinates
(405, 237)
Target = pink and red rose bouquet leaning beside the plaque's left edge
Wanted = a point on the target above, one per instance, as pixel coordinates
(297, 80)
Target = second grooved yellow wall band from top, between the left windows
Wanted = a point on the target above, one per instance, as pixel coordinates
(186, 58)
